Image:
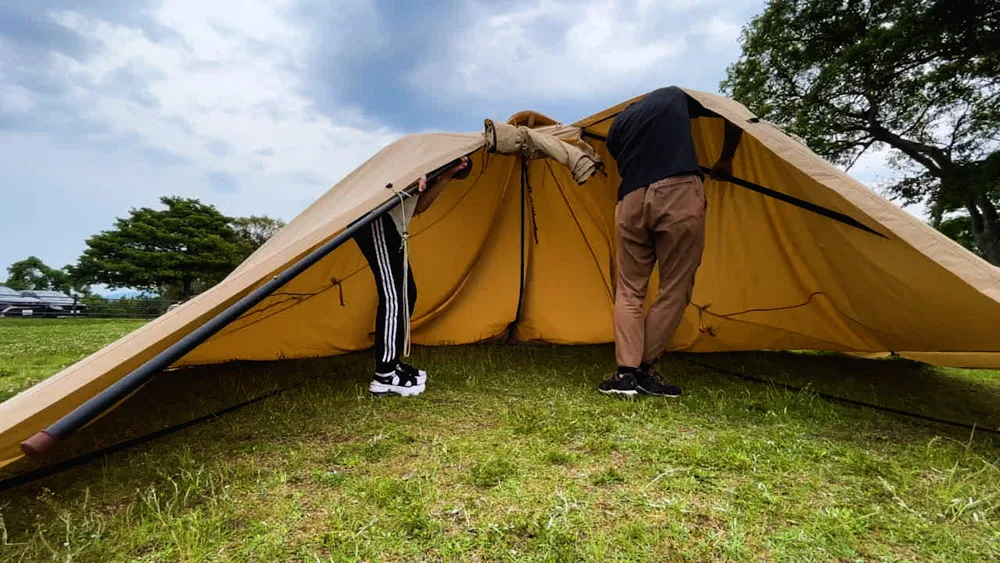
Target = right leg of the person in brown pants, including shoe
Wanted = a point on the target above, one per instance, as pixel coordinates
(677, 218)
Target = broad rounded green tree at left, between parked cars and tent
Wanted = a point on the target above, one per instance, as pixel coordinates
(188, 245)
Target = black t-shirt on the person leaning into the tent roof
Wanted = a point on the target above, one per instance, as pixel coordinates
(651, 139)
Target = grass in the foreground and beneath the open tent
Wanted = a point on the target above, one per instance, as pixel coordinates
(512, 455)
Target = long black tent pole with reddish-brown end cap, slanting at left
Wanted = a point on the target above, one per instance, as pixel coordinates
(39, 444)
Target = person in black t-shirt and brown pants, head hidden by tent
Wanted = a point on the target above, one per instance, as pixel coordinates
(661, 222)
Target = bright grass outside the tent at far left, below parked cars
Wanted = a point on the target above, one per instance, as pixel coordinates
(33, 349)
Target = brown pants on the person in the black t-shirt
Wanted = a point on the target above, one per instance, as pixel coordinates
(663, 223)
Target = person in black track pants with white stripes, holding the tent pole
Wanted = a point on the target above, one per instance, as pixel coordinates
(382, 245)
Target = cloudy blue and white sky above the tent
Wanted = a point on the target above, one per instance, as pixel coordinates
(259, 107)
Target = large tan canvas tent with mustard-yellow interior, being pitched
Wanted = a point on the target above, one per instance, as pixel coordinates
(798, 256)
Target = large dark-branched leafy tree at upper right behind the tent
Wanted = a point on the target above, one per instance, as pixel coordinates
(920, 77)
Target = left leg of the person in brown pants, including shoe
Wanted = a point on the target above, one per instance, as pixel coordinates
(635, 265)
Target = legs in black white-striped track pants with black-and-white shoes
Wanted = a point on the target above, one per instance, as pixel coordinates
(385, 258)
